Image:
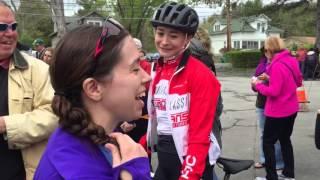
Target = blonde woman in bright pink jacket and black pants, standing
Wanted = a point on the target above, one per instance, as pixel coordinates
(281, 106)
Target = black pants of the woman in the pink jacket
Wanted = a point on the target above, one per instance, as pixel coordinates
(278, 129)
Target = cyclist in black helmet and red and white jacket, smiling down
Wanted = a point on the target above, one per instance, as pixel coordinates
(183, 98)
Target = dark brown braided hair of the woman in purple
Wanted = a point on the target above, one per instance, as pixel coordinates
(73, 62)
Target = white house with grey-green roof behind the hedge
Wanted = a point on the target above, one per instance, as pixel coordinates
(246, 32)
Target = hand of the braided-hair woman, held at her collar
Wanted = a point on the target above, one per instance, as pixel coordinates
(128, 149)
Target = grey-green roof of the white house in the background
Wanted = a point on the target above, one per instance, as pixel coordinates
(242, 24)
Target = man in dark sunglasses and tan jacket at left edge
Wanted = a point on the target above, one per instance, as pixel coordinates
(26, 119)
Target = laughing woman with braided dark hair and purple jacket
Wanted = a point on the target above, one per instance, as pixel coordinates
(98, 83)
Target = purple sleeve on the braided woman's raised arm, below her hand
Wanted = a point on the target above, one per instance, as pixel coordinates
(139, 168)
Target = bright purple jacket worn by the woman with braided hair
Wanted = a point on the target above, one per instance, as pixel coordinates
(71, 157)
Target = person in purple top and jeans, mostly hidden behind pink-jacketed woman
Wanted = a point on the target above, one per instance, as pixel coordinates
(260, 104)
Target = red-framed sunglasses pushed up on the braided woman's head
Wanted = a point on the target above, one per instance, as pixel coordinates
(111, 27)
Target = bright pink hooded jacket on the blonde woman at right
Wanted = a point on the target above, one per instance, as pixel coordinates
(285, 77)
